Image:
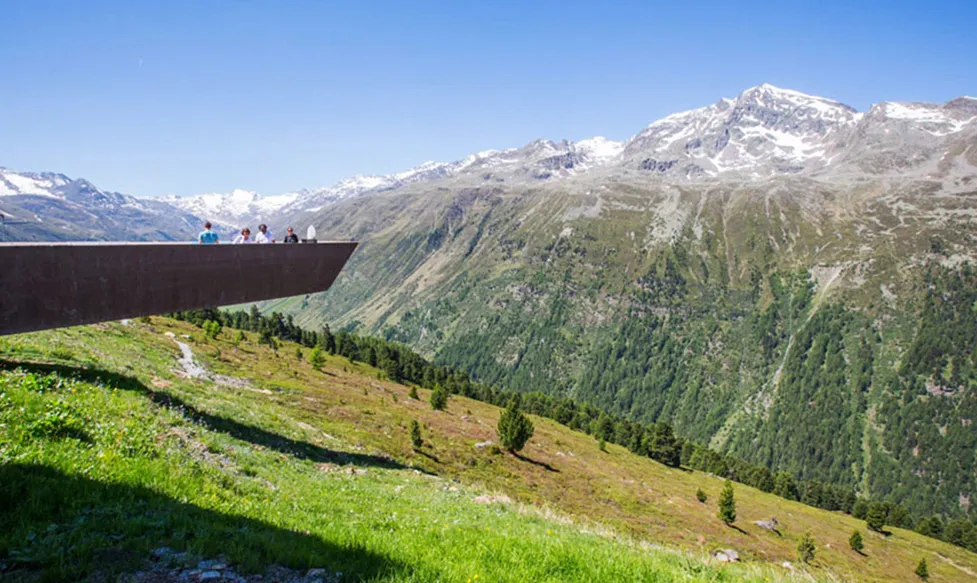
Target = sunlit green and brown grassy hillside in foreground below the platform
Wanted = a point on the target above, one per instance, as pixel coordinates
(108, 449)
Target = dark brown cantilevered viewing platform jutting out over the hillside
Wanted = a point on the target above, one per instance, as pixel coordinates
(51, 285)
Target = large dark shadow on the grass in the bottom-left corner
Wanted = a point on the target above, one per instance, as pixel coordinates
(56, 526)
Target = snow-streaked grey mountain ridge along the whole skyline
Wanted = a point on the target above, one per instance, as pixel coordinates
(764, 132)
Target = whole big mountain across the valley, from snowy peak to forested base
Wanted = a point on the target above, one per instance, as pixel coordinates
(765, 273)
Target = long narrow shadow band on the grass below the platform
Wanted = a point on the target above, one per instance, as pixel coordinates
(236, 429)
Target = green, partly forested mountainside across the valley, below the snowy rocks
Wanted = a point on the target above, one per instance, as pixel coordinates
(769, 320)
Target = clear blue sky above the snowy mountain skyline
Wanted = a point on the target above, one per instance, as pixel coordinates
(181, 97)
